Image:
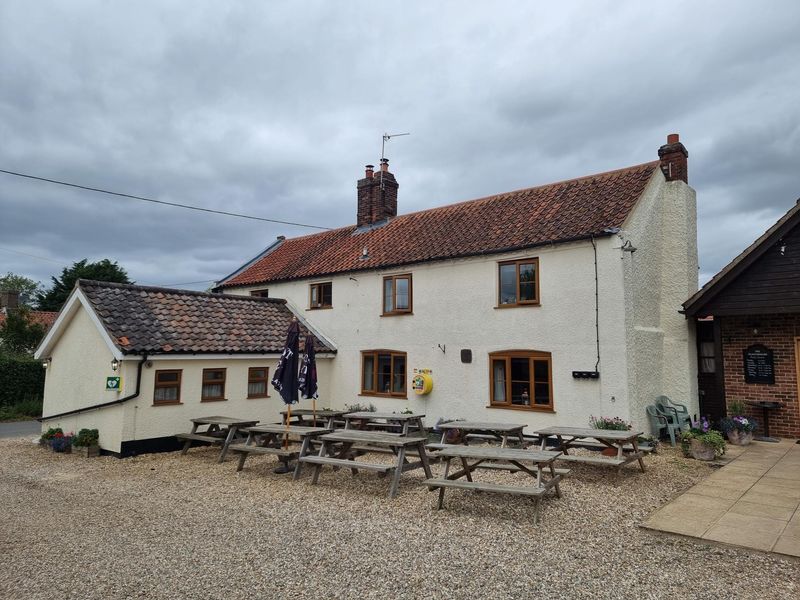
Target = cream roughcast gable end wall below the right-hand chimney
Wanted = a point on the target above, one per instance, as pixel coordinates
(659, 276)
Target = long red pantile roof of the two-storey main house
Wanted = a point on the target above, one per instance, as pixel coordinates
(558, 212)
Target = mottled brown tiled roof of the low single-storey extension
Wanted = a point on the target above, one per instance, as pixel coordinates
(168, 321)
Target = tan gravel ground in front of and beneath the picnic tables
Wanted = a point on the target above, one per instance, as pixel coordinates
(165, 526)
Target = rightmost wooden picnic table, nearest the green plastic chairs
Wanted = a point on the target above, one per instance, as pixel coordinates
(568, 436)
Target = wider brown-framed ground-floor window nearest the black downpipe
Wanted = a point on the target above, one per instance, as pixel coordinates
(521, 378)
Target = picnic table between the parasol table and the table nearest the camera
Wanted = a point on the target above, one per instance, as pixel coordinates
(337, 451)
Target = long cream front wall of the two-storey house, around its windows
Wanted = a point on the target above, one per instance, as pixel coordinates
(454, 306)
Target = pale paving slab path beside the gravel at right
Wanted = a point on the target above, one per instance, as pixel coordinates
(753, 501)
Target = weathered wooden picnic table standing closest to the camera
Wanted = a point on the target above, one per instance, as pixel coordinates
(537, 464)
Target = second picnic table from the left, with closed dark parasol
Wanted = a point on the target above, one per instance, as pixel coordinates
(269, 439)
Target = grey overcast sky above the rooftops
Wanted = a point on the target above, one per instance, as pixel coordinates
(273, 109)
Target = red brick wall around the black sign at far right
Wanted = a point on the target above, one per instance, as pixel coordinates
(779, 334)
